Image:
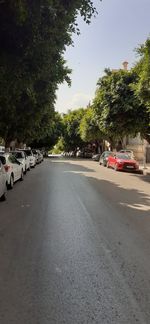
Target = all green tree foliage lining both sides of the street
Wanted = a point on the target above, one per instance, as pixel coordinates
(34, 36)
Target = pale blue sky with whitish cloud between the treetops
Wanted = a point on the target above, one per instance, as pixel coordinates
(110, 39)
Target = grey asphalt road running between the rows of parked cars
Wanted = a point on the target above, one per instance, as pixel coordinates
(75, 246)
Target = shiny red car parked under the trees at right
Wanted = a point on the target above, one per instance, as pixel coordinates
(122, 162)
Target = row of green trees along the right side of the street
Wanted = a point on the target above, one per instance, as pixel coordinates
(121, 107)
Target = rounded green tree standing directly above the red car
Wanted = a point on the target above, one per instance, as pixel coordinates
(116, 105)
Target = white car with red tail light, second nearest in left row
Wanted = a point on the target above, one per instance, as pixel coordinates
(13, 168)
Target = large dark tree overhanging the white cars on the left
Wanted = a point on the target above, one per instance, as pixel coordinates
(33, 38)
